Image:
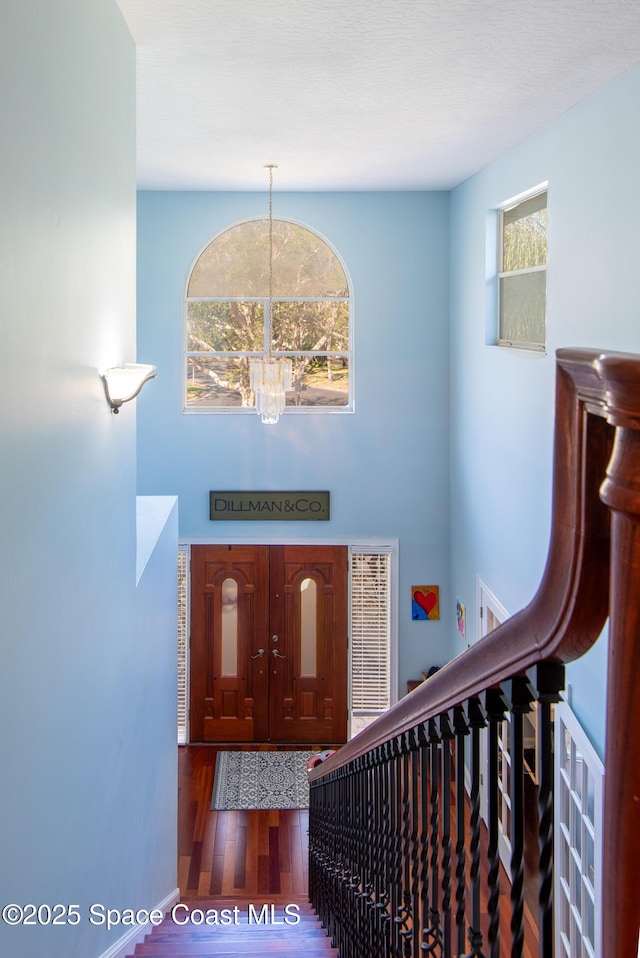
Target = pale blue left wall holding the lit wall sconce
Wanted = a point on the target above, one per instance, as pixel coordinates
(82, 683)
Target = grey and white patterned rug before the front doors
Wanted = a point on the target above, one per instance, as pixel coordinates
(248, 780)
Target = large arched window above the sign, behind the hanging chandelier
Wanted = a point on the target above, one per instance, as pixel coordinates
(228, 319)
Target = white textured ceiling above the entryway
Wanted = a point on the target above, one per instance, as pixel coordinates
(359, 94)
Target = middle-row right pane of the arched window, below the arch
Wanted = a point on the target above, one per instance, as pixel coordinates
(310, 326)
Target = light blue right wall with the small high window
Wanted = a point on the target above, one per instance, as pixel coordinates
(502, 400)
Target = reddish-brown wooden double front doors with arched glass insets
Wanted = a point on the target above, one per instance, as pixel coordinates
(268, 644)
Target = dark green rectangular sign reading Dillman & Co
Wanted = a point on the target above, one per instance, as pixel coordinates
(282, 506)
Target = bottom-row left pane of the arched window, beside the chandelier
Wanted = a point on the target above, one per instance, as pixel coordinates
(218, 381)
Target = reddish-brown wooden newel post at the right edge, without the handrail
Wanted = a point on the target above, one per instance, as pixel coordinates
(621, 493)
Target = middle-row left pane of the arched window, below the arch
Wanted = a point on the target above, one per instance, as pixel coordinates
(234, 327)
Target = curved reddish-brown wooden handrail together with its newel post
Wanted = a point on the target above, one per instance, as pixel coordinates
(594, 542)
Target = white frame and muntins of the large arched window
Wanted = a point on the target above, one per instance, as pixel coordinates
(289, 410)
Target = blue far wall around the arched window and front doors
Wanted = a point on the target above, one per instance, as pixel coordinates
(386, 465)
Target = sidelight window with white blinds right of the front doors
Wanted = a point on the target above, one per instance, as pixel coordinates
(370, 632)
